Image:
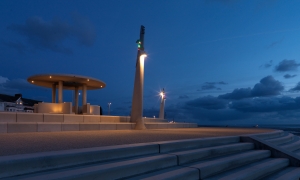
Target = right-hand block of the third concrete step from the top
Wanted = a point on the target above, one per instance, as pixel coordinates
(213, 167)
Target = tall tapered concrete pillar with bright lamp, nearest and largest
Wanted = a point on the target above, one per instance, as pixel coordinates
(137, 98)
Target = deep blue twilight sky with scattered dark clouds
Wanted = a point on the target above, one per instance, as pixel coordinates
(220, 61)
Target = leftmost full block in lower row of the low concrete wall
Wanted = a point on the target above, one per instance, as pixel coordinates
(21, 127)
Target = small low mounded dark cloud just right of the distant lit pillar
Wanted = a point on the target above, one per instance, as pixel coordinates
(207, 102)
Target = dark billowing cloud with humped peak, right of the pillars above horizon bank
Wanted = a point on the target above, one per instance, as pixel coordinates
(267, 86)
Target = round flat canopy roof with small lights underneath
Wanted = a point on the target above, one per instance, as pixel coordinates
(70, 81)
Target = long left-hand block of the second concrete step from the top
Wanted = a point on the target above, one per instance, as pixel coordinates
(110, 170)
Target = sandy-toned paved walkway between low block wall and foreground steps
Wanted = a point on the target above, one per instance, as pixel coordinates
(23, 143)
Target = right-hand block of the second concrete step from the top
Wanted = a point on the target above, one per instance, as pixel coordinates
(205, 153)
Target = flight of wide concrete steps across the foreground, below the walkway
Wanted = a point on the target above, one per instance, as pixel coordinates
(204, 158)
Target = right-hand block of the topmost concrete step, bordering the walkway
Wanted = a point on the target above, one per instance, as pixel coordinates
(179, 145)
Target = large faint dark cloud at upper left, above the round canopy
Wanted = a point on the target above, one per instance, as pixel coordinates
(51, 35)
